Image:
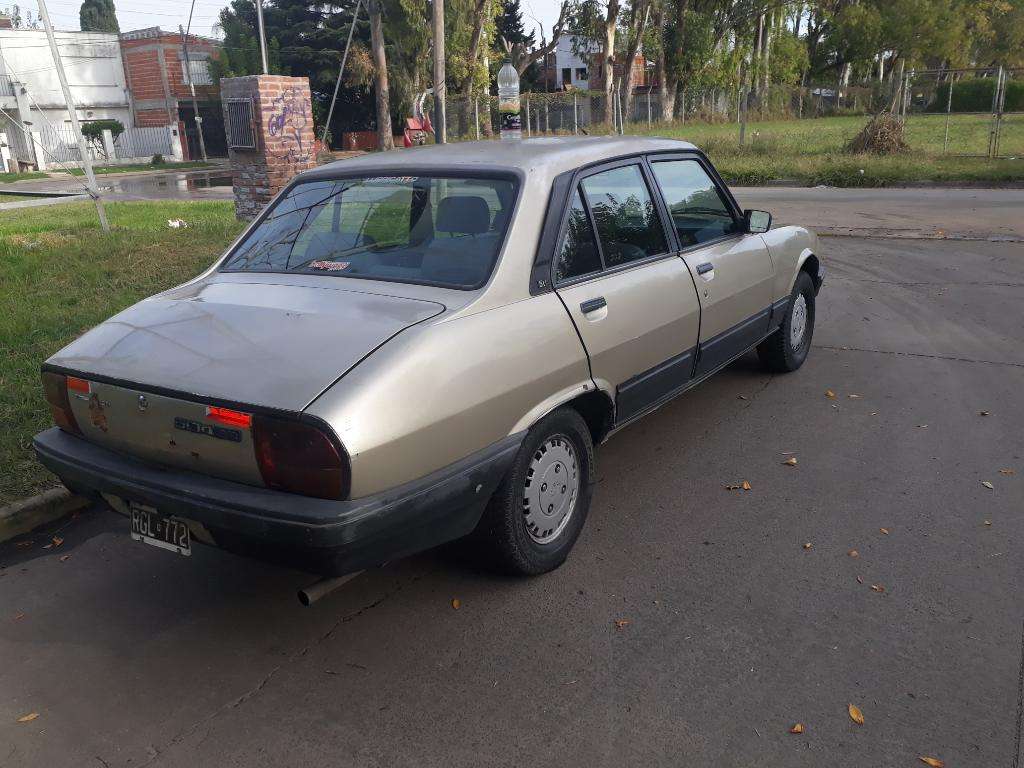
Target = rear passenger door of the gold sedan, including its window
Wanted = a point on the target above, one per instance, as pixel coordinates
(632, 300)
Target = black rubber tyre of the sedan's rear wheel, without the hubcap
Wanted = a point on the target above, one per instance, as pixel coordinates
(503, 536)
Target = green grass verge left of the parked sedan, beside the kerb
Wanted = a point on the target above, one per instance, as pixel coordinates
(61, 276)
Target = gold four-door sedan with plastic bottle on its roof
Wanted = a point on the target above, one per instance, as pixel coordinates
(414, 348)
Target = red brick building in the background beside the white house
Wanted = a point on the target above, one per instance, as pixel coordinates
(158, 82)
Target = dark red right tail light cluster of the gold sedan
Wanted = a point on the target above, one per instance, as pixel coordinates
(300, 458)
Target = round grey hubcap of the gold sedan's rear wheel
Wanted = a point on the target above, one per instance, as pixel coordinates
(551, 489)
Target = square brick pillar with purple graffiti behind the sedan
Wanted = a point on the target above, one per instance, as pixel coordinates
(283, 121)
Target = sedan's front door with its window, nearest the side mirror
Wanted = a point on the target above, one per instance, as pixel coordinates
(733, 270)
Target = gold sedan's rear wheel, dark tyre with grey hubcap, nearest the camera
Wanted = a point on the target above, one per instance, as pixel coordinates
(537, 514)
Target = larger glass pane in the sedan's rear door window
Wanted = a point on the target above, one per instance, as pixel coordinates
(628, 226)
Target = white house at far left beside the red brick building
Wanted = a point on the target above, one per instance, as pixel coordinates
(31, 99)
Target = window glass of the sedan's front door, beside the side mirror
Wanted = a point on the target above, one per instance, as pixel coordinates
(699, 212)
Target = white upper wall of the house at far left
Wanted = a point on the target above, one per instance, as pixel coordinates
(93, 64)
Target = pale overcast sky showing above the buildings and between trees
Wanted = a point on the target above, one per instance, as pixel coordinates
(135, 15)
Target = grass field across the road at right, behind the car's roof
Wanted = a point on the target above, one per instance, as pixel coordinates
(812, 151)
